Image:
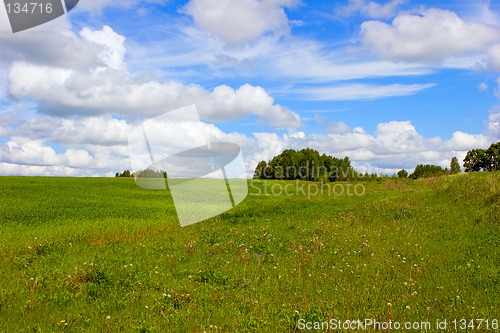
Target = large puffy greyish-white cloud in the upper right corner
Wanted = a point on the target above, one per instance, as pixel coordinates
(432, 35)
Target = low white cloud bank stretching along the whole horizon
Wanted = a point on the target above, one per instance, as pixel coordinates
(394, 145)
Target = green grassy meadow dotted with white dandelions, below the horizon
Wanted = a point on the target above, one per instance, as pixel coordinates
(103, 255)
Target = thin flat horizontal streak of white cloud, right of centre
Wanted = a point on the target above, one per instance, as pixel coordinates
(360, 91)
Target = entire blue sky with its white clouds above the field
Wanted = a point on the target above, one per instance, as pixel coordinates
(390, 84)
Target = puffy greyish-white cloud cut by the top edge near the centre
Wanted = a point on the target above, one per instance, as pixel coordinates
(238, 21)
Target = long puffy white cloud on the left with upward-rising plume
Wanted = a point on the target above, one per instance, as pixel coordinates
(110, 88)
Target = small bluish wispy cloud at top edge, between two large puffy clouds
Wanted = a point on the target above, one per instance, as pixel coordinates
(370, 9)
